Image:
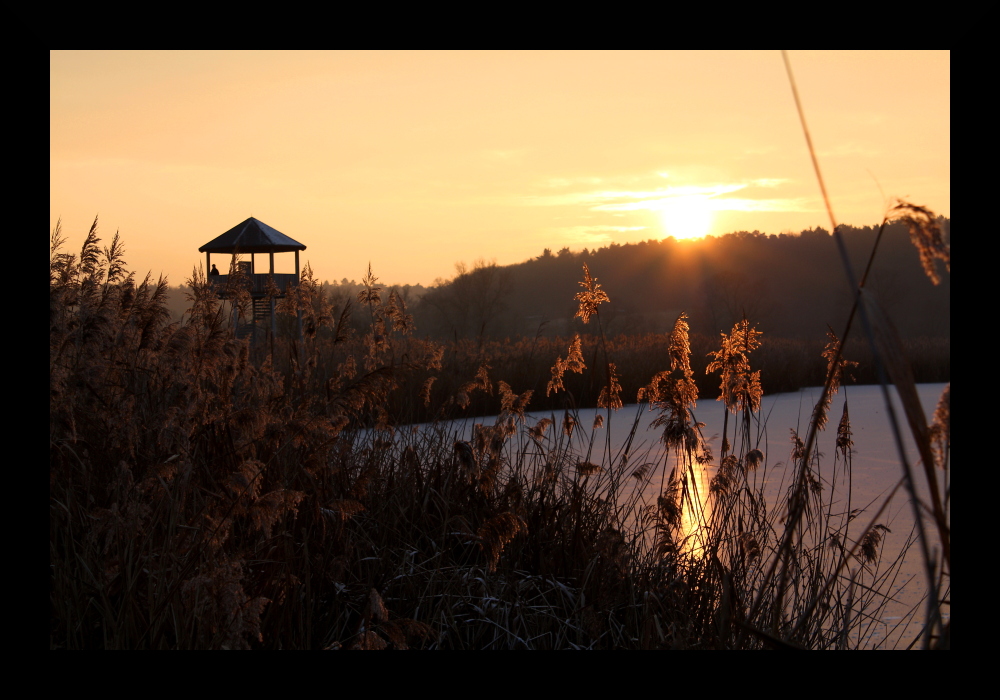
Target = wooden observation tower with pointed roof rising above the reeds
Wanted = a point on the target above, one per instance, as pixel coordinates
(252, 238)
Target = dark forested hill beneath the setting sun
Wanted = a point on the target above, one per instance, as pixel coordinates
(790, 285)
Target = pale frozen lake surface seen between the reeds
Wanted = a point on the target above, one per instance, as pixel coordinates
(875, 472)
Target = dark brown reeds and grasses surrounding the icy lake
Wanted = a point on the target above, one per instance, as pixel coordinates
(214, 492)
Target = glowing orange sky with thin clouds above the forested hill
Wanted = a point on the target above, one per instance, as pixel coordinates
(415, 161)
